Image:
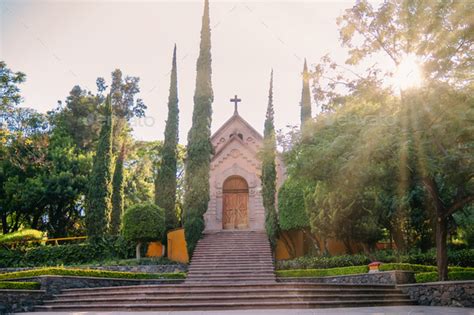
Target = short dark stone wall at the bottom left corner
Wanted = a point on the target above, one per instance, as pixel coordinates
(19, 300)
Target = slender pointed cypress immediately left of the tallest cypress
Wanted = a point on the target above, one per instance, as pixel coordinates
(165, 184)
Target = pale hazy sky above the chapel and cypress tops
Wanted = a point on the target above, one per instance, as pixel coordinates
(60, 44)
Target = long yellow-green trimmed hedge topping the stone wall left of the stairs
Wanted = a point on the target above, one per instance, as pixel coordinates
(90, 273)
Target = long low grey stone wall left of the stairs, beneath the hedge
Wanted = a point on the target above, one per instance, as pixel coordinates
(55, 284)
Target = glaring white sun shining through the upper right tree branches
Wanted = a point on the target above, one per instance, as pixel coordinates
(408, 73)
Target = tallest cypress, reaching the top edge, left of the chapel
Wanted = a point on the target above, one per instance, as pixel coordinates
(199, 148)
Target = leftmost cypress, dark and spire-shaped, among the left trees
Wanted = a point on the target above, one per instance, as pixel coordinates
(98, 203)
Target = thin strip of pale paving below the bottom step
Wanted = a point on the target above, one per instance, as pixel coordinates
(389, 310)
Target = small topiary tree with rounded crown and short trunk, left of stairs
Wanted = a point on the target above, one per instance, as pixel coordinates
(143, 223)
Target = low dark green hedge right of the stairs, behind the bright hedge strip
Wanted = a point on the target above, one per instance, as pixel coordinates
(314, 262)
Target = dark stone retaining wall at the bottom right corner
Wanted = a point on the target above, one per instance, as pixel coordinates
(446, 293)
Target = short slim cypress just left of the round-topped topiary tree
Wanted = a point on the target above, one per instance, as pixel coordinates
(117, 194)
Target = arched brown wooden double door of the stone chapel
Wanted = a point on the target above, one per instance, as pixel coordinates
(235, 203)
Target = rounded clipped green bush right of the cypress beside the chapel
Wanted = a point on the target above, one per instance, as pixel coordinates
(291, 207)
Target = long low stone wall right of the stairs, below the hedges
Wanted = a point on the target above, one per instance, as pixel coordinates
(383, 277)
